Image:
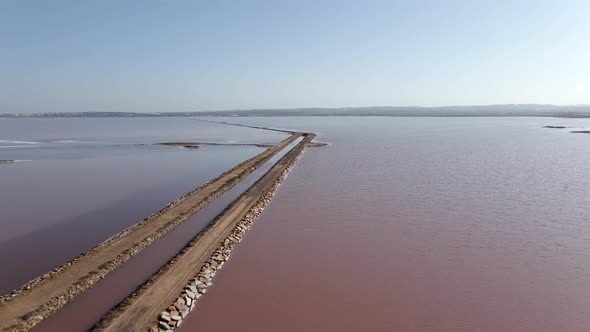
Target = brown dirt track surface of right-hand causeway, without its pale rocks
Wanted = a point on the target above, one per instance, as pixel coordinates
(139, 311)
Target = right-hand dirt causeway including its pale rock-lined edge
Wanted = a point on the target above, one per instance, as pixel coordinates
(196, 264)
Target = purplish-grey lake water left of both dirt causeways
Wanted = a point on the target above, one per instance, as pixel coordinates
(81, 189)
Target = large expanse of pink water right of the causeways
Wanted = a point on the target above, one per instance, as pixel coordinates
(417, 224)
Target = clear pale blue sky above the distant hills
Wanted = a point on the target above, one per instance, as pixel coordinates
(211, 55)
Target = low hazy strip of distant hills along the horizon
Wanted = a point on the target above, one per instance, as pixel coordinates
(570, 111)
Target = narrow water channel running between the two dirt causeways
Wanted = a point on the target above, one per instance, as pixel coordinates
(82, 313)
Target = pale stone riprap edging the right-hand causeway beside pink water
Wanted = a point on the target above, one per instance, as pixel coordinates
(173, 316)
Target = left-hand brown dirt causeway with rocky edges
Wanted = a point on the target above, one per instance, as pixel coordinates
(24, 316)
